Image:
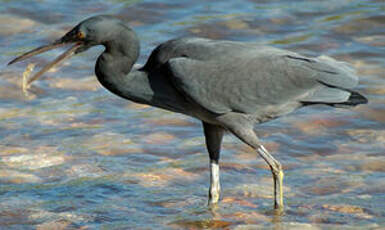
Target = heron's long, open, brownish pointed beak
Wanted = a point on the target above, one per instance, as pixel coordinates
(69, 38)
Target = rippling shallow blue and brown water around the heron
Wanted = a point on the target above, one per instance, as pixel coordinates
(74, 156)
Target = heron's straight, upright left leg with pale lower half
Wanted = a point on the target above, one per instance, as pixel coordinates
(214, 135)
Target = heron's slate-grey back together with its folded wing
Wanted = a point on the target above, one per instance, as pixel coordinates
(228, 76)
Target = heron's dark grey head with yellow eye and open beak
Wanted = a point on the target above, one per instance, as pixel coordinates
(97, 30)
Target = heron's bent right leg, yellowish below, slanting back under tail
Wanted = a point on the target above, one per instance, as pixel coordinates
(242, 127)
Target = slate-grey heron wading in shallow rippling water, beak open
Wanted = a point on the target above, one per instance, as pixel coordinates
(230, 86)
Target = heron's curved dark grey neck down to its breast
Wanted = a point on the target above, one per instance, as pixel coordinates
(114, 71)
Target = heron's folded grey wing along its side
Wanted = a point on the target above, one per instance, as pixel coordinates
(252, 80)
